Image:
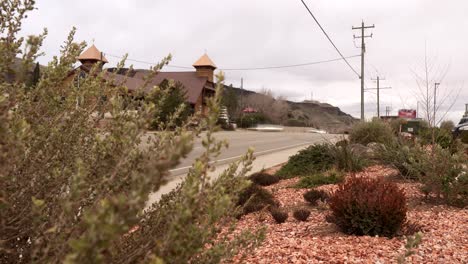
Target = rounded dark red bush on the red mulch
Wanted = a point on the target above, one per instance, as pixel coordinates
(366, 206)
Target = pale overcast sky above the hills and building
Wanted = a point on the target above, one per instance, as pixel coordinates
(261, 33)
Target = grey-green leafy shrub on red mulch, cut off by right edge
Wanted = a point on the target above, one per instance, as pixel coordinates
(446, 176)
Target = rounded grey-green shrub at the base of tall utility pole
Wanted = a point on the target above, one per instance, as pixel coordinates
(375, 131)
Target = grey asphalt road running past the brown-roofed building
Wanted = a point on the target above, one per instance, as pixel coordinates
(262, 142)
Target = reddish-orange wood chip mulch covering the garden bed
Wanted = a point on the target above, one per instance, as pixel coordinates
(444, 228)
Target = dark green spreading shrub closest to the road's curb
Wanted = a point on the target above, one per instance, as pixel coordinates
(313, 159)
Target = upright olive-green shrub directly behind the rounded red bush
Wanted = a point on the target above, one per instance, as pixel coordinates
(346, 159)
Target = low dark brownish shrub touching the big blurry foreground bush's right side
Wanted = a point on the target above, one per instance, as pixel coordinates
(254, 198)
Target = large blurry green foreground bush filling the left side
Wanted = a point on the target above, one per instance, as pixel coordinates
(71, 192)
